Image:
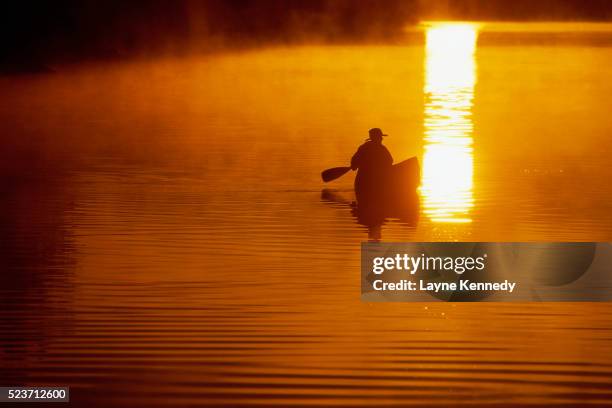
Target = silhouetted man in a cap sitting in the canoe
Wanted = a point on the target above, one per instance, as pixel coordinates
(374, 163)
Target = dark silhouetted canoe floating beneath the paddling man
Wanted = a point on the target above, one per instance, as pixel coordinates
(392, 189)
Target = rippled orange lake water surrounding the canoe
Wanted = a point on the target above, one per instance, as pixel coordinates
(166, 240)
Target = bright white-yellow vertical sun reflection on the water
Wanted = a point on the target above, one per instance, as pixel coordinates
(450, 76)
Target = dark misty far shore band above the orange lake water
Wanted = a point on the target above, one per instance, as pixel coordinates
(34, 33)
